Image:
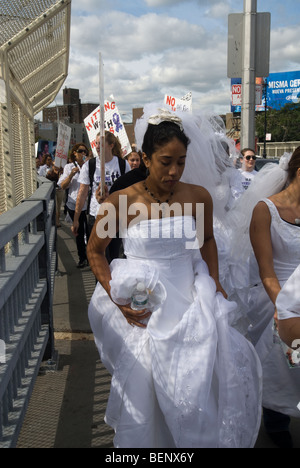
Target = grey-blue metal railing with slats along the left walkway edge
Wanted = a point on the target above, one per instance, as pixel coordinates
(28, 263)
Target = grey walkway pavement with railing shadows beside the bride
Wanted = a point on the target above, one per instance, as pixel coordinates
(68, 403)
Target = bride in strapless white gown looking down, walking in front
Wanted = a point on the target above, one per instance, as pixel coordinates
(181, 376)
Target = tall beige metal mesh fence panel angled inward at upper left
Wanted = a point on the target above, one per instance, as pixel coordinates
(34, 56)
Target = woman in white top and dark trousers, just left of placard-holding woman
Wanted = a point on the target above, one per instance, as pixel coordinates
(69, 180)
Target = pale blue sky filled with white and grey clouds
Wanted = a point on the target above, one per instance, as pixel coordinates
(155, 47)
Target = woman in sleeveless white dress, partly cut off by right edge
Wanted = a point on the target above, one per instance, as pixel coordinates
(275, 237)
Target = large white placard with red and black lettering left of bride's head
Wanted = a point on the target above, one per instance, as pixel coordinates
(112, 123)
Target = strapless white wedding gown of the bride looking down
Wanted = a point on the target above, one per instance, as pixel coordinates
(188, 379)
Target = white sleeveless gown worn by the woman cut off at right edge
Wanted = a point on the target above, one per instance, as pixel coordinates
(281, 384)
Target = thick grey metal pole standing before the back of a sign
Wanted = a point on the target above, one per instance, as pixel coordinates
(248, 75)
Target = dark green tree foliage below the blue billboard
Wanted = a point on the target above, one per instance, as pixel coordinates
(283, 124)
